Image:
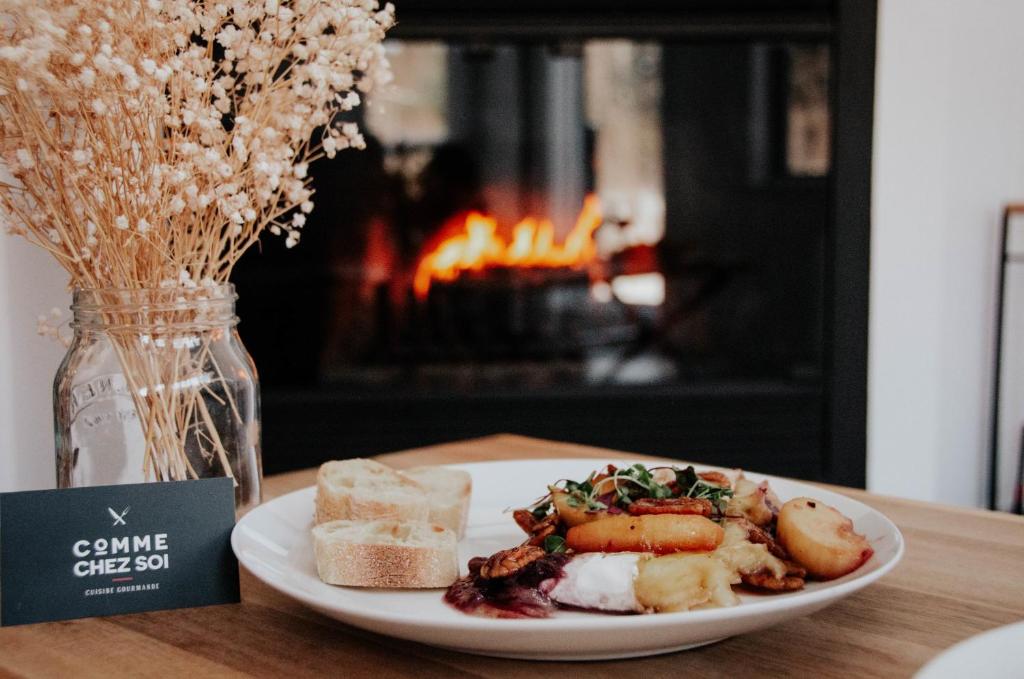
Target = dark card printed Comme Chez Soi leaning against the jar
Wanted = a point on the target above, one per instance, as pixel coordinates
(116, 549)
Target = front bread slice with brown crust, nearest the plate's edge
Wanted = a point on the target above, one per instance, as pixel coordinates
(386, 554)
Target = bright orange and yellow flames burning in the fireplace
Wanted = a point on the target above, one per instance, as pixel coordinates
(479, 246)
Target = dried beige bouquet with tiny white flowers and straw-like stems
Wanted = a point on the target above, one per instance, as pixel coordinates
(150, 144)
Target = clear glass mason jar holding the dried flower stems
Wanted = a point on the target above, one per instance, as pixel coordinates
(157, 387)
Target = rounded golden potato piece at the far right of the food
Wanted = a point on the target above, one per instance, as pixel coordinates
(822, 539)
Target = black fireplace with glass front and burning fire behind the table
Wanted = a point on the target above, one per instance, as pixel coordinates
(645, 231)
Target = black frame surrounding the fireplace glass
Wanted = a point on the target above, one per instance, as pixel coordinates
(849, 27)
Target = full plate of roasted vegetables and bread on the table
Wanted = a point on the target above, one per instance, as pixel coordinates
(564, 559)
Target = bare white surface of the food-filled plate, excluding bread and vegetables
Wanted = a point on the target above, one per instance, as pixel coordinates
(274, 542)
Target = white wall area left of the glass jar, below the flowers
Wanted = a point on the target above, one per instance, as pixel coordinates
(31, 283)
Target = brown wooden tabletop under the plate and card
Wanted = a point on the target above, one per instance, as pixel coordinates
(963, 574)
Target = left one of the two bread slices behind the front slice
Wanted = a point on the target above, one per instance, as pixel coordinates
(367, 490)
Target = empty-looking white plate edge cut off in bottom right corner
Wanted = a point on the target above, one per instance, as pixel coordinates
(995, 655)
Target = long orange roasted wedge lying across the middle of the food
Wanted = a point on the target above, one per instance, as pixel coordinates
(661, 534)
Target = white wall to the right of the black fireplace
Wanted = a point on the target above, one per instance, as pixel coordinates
(949, 154)
